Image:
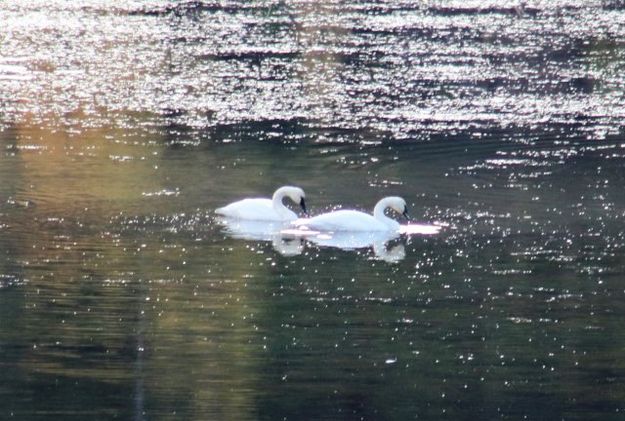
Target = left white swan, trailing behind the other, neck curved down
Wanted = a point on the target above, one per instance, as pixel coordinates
(266, 209)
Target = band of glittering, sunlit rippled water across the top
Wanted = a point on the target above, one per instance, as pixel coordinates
(473, 67)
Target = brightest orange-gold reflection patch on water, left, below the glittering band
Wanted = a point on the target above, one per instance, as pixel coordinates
(68, 168)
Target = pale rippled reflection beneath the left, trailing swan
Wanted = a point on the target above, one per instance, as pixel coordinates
(269, 231)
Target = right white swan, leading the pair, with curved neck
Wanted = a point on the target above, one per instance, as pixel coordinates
(351, 220)
